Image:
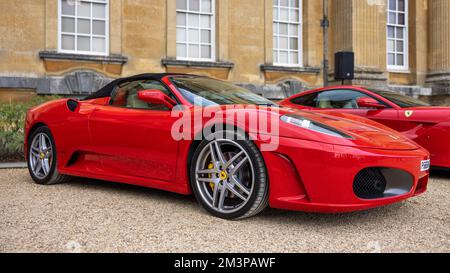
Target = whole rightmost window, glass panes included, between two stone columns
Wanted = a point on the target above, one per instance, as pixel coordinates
(397, 35)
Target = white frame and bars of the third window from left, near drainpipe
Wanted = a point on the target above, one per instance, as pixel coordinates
(300, 37)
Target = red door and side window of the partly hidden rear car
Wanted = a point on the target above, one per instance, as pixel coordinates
(345, 100)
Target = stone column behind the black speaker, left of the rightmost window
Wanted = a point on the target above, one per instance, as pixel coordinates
(359, 26)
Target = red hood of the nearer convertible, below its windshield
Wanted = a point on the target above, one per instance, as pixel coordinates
(362, 132)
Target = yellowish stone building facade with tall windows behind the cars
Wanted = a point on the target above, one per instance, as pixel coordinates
(273, 47)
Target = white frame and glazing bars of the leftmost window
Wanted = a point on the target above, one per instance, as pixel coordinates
(91, 35)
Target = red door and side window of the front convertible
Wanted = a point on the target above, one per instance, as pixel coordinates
(134, 137)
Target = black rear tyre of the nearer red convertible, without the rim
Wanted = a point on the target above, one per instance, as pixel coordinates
(53, 177)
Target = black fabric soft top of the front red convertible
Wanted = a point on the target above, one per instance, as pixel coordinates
(107, 90)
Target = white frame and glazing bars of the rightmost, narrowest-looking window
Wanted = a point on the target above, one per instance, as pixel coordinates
(405, 66)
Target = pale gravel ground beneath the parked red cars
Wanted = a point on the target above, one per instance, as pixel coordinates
(94, 216)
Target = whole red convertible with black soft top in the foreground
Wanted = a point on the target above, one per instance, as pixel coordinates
(127, 132)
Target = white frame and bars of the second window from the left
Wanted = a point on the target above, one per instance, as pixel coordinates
(213, 33)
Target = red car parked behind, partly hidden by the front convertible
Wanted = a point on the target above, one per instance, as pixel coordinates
(428, 126)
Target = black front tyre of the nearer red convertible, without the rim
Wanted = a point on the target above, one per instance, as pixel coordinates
(259, 196)
